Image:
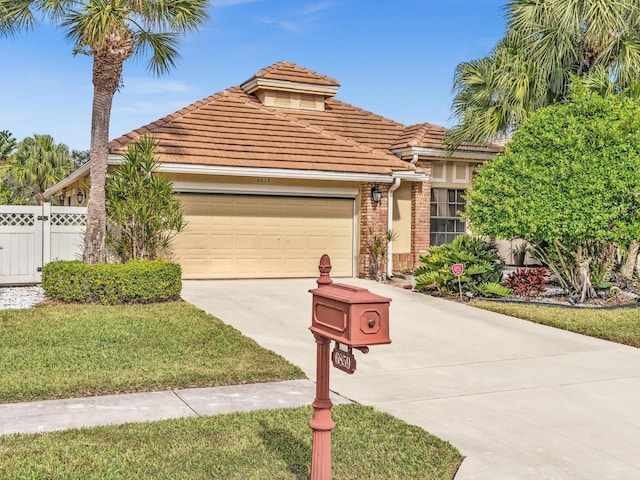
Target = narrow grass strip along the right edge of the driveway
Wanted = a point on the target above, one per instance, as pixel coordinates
(620, 325)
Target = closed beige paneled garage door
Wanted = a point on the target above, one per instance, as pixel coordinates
(248, 236)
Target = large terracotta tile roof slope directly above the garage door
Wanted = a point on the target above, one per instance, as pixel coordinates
(232, 128)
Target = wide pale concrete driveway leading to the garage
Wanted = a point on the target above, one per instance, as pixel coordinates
(521, 401)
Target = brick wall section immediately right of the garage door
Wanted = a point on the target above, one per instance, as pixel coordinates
(372, 217)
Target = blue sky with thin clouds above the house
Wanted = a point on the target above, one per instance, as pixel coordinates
(395, 58)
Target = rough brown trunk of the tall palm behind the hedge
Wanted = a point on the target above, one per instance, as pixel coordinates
(107, 71)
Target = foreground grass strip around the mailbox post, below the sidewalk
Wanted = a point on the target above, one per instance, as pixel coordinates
(273, 444)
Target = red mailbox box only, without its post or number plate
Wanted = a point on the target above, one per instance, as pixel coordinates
(350, 315)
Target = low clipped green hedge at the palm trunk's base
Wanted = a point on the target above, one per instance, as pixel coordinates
(137, 281)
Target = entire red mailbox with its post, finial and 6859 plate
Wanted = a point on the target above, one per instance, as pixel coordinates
(350, 316)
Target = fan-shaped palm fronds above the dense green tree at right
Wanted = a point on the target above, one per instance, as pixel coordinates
(547, 43)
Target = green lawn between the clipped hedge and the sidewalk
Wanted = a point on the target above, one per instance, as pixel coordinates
(71, 351)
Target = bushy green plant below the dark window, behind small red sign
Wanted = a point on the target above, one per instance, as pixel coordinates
(483, 268)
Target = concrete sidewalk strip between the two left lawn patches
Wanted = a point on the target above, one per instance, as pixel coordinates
(50, 415)
